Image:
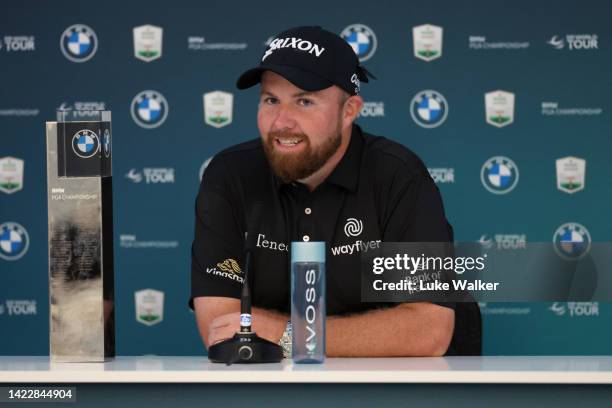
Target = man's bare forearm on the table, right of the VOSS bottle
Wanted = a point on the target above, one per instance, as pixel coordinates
(417, 329)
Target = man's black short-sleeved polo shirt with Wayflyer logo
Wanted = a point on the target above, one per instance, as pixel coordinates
(379, 191)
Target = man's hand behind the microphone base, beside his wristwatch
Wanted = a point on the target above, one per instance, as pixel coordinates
(268, 325)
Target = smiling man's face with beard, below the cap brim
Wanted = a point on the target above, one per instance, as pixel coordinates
(300, 130)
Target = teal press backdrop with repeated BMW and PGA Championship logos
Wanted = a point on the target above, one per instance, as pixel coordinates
(554, 56)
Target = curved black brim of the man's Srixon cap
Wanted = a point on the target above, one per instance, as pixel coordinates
(302, 79)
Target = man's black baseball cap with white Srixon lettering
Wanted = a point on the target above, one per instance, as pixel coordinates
(312, 59)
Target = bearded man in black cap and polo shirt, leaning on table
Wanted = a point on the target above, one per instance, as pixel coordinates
(319, 178)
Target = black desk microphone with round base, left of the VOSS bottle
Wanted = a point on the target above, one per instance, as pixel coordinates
(246, 347)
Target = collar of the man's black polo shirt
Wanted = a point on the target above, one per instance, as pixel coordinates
(346, 172)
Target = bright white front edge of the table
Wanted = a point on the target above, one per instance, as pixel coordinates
(255, 376)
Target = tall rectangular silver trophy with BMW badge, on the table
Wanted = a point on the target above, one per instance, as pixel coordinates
(81, 275)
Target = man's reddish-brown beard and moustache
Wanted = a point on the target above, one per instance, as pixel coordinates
(297, 166)
